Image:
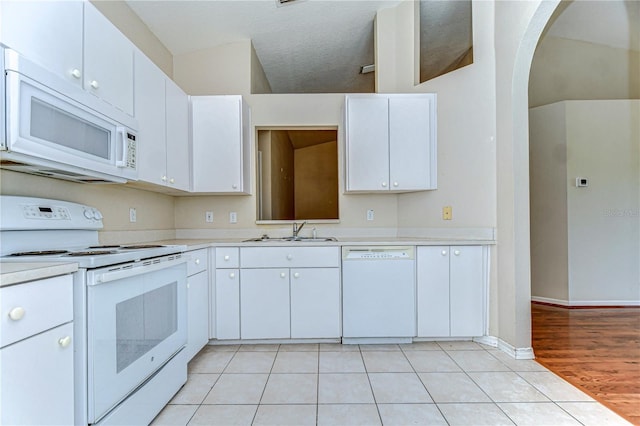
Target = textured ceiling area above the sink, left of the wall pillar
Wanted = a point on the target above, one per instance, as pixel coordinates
(307, 46)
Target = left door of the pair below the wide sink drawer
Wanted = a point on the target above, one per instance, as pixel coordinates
(264, 304)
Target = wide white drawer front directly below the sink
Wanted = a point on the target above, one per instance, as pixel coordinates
(286, 257)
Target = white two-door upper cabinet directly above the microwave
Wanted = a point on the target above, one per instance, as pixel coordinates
(75, 41)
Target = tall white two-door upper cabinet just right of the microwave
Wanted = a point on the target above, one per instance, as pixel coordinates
(162, 111)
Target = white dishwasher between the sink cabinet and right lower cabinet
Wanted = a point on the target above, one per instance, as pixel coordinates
(378, 299)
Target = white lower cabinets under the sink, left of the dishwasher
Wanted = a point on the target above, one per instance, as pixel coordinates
(277, 293)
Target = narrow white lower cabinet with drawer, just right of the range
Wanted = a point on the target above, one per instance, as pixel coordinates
(197, 302)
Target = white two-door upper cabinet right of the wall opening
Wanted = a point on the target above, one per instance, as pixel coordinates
(390, 143)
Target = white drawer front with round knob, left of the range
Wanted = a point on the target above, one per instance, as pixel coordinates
(35, 306)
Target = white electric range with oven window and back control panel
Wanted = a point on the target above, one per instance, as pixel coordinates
(129, 307)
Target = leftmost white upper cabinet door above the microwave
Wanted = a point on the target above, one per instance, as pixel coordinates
(46, 32)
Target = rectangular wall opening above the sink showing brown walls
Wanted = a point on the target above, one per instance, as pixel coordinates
(297, 174)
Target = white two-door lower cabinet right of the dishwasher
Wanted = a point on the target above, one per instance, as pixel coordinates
(451, 291)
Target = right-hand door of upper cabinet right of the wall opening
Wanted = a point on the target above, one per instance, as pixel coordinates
(410, 153)
